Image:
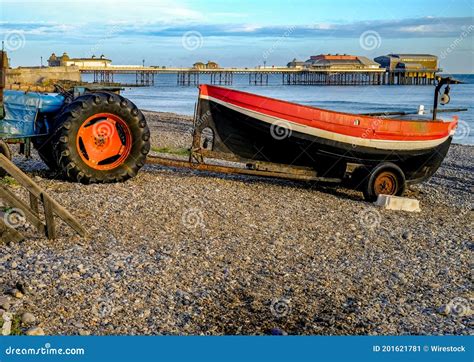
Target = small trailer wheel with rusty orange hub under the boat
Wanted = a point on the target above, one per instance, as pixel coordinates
(385, 178)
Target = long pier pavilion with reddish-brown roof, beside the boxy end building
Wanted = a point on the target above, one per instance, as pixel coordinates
(341, 62)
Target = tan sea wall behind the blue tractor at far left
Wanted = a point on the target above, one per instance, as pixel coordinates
(42, 75)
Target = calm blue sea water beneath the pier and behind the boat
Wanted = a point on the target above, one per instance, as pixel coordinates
(167, 96)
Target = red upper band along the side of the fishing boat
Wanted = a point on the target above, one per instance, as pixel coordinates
(339, 123)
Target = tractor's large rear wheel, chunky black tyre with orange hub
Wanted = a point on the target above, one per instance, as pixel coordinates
(100, 137)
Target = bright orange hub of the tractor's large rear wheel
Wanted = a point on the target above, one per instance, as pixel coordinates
(104, 141)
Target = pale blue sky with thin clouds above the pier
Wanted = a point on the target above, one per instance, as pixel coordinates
(239, 33)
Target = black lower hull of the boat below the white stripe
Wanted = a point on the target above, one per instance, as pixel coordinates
(254, 139)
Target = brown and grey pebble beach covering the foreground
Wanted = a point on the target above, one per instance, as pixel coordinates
(175, 251)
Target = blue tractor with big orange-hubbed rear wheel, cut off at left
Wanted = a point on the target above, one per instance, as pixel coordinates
(88, 135)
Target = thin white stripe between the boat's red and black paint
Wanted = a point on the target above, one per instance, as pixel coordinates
(317, 132)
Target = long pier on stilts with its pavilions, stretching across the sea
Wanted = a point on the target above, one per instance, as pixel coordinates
(321, 69)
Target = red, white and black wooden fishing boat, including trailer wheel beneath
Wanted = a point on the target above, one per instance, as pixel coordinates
(377, 154)
